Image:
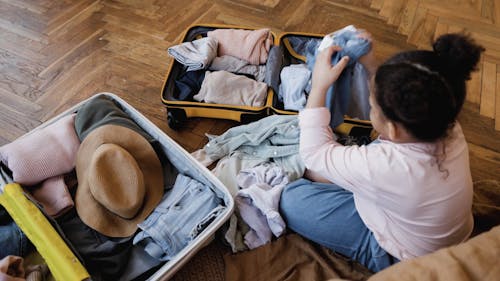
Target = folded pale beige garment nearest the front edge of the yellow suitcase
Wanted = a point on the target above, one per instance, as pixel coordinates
(228, 88)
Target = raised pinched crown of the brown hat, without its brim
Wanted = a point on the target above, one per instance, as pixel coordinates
(116, 181)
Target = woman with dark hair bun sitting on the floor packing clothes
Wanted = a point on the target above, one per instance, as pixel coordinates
(406, 194)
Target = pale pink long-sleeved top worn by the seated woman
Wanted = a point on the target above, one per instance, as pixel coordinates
(400, 194)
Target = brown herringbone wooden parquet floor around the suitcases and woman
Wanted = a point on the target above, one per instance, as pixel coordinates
(54, 54)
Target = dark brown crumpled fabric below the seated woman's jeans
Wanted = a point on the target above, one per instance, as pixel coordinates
(288, 258)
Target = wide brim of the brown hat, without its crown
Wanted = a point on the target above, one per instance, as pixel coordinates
(97, 216)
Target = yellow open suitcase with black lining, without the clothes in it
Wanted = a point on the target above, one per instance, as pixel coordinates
(282, 54)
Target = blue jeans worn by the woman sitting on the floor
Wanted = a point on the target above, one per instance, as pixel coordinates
(326, 214)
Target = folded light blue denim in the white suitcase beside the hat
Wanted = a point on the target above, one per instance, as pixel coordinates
(183, 213)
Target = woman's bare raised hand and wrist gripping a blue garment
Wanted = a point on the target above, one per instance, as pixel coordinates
(324, 75)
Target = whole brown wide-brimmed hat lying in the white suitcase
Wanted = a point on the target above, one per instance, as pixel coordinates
(120, 180)
